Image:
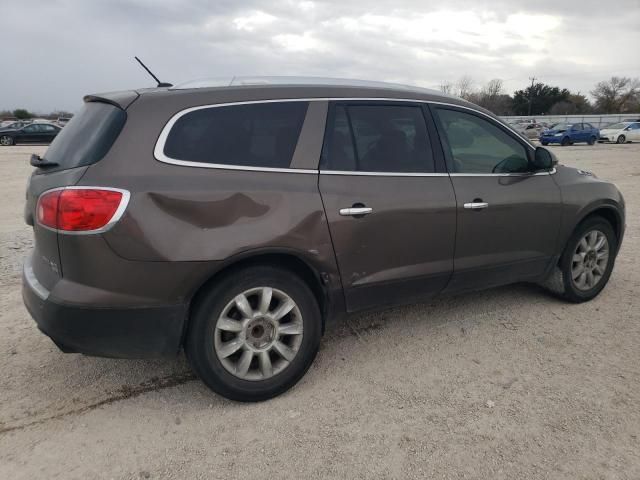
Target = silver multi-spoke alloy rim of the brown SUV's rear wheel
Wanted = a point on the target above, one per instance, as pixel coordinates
(258, 333)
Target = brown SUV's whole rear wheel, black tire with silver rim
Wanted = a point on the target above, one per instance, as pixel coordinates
(210, 332)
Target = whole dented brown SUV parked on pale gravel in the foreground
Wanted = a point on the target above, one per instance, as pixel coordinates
(235, 221)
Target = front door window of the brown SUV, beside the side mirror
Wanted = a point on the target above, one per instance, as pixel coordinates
(477, 146)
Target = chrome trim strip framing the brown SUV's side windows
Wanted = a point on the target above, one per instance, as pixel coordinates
(158, 151)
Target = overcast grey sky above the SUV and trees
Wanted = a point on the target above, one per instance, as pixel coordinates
(59, 50)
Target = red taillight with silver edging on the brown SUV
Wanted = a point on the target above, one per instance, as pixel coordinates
(75, 209)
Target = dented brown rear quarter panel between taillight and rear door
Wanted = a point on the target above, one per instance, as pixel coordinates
(189, 214)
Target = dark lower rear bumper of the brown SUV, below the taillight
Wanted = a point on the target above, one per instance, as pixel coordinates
(140, 332)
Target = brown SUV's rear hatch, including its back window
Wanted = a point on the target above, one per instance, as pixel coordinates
(85, 140)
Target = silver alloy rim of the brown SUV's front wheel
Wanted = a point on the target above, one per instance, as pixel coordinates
(590, 259)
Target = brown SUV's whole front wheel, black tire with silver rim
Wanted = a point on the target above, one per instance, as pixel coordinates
(570, 265)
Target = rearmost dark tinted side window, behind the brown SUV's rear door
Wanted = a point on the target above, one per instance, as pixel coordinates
(256, 135)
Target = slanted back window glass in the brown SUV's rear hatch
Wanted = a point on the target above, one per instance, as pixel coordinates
(87, 137)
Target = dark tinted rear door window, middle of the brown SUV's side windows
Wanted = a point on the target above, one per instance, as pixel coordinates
(388, 138)
